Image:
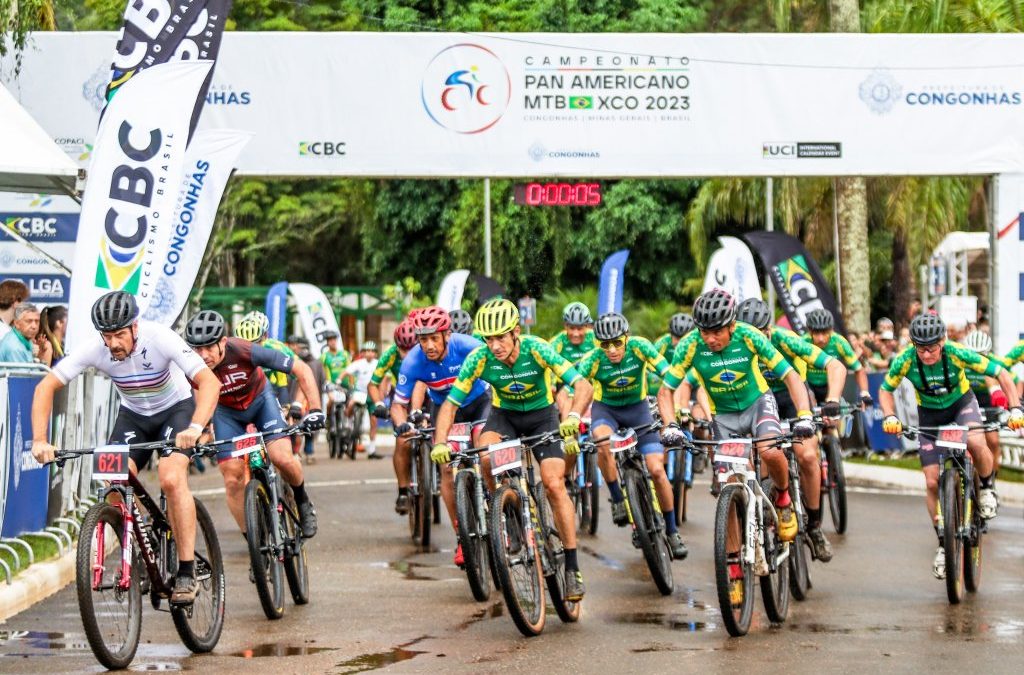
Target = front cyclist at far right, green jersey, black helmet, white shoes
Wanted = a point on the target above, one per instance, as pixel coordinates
(936, 367)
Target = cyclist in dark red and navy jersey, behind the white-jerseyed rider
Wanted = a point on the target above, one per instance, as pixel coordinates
(246, 399)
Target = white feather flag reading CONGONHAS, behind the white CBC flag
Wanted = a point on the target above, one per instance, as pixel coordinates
(209, 162)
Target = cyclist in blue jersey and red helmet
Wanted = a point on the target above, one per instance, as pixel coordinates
(436, 362)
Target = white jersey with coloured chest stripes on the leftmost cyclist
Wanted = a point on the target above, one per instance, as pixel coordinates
(153, 378)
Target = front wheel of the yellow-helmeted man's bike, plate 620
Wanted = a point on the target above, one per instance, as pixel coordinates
(518, 563)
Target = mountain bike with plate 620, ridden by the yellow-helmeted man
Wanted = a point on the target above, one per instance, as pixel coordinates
(528, 550)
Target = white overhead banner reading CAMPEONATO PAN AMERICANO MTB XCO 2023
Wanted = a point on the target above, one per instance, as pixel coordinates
(575, 105)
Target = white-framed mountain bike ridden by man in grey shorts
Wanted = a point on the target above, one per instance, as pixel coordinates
(747, 535)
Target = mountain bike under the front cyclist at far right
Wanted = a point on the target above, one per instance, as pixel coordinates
(960, 520)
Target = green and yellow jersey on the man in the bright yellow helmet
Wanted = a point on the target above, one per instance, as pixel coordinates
(524, 387)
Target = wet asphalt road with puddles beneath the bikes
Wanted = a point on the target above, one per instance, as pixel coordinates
(380, 604)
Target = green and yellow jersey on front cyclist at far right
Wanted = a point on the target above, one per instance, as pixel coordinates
(944, 384)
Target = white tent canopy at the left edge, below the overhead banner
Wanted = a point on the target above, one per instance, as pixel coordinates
(30, 161)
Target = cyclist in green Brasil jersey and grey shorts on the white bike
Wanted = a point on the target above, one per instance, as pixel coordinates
(727, 358)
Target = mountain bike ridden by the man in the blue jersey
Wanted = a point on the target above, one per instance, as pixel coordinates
(473, 509)
